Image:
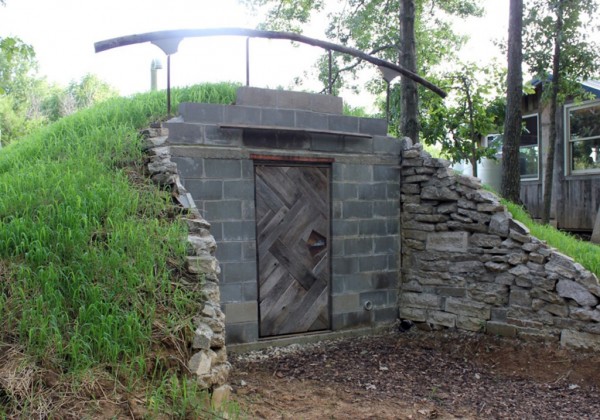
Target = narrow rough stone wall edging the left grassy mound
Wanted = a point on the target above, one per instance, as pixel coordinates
(209, 360)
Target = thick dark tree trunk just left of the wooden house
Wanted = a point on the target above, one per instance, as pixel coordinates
(511, 177)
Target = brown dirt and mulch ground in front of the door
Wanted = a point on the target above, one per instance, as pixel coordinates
(418, 375)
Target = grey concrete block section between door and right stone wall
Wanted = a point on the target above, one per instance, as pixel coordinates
(365, 246)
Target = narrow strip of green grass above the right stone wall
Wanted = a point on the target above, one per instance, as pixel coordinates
(585, 253)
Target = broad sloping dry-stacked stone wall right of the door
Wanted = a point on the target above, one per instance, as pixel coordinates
(467, 264)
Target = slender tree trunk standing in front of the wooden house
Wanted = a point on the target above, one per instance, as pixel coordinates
(549, 174)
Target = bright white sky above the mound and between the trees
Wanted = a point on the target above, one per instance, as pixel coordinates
(63, 33)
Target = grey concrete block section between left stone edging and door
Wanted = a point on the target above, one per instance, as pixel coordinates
(227, 190)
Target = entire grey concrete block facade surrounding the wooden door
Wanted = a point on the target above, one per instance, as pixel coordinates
(214, 147)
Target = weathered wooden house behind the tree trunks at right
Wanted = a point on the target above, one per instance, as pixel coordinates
(576, 189)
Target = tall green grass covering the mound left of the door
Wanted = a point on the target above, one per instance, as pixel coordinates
(85, 253)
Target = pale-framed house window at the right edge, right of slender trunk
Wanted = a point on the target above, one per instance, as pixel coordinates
(583, 134)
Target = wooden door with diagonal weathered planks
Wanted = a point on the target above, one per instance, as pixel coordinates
(292, 217)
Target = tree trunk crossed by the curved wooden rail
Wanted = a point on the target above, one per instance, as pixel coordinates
(409, 118)
